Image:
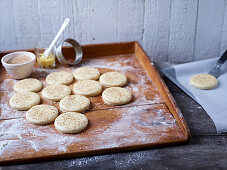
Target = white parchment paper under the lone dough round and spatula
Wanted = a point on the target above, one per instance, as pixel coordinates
(213, 101)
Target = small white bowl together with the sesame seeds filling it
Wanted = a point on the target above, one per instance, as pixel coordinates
(20, 64)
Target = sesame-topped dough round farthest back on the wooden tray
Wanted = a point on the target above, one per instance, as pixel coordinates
(86, 73)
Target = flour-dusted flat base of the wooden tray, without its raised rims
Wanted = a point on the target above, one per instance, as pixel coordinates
(139, 122)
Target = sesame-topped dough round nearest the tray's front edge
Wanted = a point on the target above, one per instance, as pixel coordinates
(71, 122)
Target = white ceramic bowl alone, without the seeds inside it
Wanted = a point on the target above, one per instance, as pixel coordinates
(19, 71)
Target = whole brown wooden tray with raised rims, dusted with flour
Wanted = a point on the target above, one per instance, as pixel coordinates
(151, 119)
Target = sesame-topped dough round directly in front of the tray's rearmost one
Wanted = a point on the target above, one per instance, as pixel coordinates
(87, 88)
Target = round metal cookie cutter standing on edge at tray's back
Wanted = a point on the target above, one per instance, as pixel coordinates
(77, 48)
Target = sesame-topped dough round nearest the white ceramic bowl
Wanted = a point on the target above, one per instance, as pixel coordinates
(28, 85)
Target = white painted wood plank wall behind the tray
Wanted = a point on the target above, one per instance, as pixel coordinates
(168, 30)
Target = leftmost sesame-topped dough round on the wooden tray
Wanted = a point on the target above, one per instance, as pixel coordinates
(24, 100)
